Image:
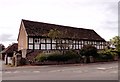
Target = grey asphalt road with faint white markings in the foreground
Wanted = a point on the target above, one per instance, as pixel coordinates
(94, 71)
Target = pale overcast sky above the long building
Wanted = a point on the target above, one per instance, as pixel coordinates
(99, 15)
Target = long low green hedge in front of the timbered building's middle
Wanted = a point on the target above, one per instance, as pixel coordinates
(68, 55)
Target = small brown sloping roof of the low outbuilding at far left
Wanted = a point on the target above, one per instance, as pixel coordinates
(11, 48)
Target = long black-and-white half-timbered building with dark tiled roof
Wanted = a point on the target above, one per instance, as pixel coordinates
(34, 36)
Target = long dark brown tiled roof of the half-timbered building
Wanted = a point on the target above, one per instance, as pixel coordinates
(34, 28)
